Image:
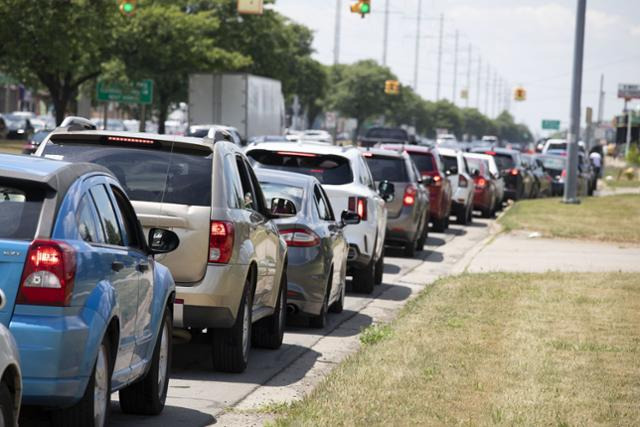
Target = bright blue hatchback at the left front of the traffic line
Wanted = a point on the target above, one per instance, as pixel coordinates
(90, 309)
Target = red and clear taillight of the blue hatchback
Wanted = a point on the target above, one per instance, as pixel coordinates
(48, 275)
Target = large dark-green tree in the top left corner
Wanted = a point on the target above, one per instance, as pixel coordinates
(56, 44)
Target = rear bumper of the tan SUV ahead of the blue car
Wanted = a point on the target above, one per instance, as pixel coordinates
(212, 302)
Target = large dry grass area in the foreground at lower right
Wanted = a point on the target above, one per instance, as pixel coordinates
(554, 349)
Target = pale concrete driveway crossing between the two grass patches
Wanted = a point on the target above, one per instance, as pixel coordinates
(525, 252)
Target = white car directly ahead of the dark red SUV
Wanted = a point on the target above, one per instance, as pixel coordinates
(462, 185)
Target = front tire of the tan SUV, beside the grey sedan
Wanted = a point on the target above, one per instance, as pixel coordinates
(269, 332)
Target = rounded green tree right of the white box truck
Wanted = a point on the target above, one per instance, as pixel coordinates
(359, 92)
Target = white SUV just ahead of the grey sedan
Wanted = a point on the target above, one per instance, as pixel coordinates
(347, 180)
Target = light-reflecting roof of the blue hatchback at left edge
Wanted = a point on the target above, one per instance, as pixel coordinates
(55, 174)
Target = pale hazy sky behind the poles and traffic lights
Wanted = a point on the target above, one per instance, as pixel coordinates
(527, 43)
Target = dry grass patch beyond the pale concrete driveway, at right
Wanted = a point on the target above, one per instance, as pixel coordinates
(610, 218)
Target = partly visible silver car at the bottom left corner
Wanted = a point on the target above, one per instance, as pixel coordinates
(11, 384)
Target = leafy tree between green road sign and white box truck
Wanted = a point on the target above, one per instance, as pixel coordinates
(165, 43)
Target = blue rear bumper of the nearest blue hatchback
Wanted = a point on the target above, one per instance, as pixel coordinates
(55, 353)
